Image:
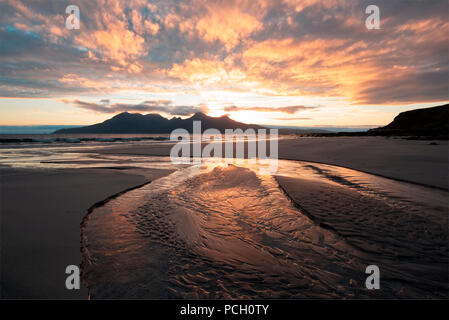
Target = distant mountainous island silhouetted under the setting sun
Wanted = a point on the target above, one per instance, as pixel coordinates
(136, 123)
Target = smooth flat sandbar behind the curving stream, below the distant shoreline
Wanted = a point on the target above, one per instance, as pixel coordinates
(409, 160)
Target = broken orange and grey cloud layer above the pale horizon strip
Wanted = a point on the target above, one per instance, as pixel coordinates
(309, 48)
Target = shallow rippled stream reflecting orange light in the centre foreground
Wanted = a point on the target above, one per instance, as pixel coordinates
(220, 234)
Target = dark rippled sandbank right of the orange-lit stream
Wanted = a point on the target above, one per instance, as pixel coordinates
(408, 244)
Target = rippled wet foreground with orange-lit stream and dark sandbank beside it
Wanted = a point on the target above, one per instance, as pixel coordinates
(225, 231)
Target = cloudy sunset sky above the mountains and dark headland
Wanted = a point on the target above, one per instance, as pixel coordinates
(284, 62)
